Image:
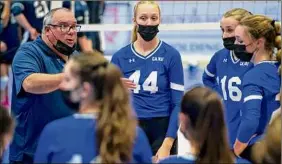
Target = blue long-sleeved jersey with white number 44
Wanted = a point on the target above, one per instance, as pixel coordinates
(159, 79)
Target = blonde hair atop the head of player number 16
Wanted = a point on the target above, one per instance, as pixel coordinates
(237, 13)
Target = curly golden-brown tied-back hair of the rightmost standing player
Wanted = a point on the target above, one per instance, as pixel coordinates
(260, 26)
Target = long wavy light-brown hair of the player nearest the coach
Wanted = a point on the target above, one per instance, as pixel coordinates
(116, 124)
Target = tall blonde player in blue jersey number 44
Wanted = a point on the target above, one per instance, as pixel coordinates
(156, 69)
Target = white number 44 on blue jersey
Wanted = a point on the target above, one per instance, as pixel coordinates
(150, 84)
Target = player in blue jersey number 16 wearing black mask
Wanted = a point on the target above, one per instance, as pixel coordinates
(225, 72)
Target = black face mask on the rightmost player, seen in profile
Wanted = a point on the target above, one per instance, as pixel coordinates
(241, 53)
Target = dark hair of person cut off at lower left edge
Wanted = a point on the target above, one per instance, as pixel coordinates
(6, 126)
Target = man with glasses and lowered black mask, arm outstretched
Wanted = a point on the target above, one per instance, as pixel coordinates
(37, 73)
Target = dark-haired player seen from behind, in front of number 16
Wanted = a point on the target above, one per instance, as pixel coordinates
(202, 123)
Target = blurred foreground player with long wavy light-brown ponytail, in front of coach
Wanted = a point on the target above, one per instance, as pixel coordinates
(104, 129)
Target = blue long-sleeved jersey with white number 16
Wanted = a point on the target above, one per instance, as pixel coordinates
(224, 74)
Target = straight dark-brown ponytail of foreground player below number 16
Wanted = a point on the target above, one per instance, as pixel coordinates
(212, 135)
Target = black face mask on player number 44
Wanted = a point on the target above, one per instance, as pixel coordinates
(148, 32)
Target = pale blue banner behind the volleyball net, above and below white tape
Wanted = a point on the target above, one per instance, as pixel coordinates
(204, 43)
